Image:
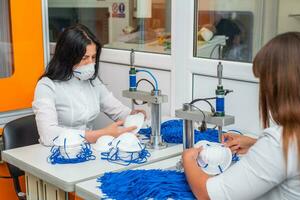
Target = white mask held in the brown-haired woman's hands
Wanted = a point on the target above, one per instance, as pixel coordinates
(214, 158)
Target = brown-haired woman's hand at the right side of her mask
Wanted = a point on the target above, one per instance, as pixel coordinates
(238, 143)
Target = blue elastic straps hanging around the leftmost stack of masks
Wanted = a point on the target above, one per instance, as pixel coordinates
(85, 154)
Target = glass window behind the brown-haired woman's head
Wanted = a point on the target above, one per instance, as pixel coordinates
(236, 29)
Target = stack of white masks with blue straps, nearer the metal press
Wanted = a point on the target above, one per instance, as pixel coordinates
(125, 150)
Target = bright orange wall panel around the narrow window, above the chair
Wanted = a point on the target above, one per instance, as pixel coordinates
(27, 42)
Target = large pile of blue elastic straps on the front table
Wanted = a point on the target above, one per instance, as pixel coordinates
(145, 184)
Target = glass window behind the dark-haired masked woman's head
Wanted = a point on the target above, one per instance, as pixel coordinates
(143, 25)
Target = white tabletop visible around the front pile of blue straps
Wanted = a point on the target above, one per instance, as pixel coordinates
(89, 189)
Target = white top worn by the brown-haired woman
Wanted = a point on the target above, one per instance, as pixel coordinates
(261, 173)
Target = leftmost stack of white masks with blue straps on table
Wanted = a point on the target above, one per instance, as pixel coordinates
(70, 148)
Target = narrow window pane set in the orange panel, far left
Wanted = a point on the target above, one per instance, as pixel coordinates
(6, 53)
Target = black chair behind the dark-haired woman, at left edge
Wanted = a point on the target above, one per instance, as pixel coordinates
(18, 133)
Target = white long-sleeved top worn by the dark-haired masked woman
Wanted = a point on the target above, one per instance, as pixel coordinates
(72, 106)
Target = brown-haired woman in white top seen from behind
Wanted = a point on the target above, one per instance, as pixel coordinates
(270, 167)
